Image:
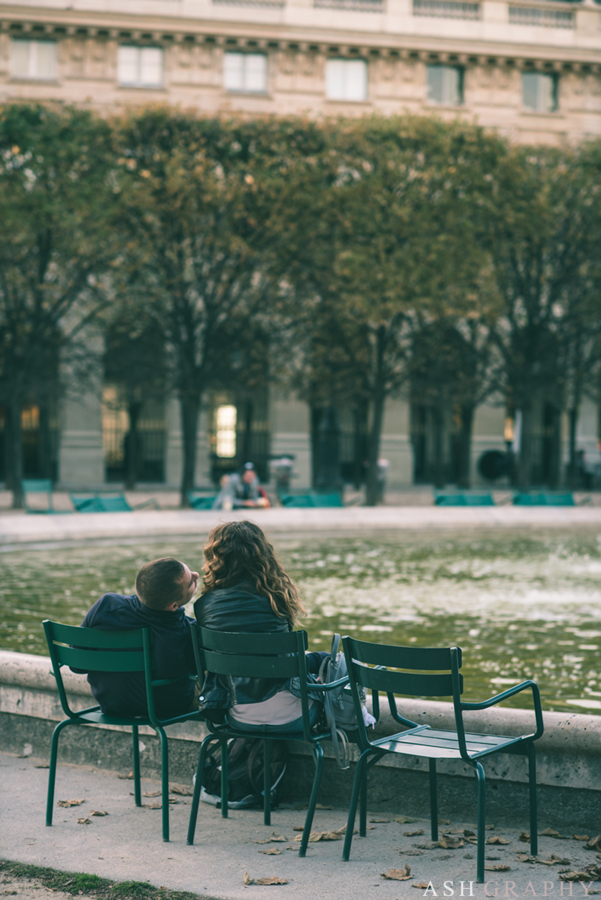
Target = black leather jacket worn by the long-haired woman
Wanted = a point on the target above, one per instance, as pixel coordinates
(240, 609)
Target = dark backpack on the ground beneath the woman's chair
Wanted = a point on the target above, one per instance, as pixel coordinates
(245, 772)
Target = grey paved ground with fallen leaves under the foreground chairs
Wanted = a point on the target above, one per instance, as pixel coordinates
(126, 845)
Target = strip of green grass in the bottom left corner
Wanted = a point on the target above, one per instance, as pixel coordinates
(77, 883)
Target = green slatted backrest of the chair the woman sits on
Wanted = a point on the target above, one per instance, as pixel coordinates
(250, 655)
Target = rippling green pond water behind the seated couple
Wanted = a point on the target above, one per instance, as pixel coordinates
(520, 605)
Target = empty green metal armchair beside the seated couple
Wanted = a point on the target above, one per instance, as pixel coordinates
(427, 675)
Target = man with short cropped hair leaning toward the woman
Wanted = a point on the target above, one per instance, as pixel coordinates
(163, 587)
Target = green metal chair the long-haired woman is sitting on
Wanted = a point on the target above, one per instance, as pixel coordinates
(258, 656)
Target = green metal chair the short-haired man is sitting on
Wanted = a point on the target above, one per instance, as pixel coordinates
(91, 650)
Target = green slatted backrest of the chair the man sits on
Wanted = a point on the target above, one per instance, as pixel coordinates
(92, 650)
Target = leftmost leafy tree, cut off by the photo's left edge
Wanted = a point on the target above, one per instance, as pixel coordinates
(55, 244)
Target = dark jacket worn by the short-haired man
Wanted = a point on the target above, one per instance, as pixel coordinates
(123, 693)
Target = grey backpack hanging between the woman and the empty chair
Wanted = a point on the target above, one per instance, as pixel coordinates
(338, 704)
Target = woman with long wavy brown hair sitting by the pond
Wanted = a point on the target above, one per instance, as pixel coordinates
(244, 589)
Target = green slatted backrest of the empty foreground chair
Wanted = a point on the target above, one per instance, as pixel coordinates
(428, 672)
